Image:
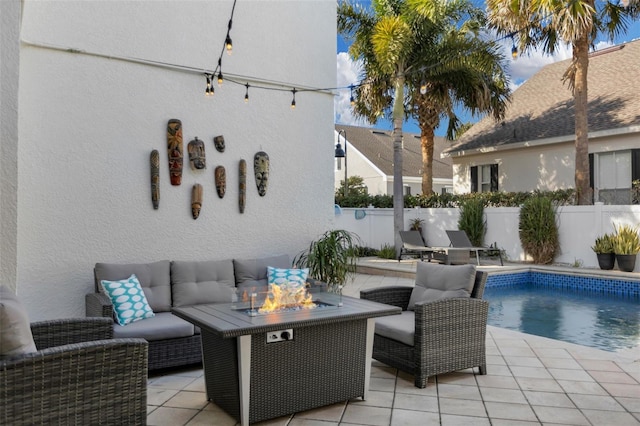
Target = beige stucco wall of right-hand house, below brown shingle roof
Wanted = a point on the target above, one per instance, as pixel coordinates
(542, 167)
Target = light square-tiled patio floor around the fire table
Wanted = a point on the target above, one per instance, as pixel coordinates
(530, 381)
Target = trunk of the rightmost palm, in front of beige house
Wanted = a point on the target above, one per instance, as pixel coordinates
(581, 58)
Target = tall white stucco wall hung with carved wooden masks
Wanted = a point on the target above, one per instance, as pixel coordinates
(88, 124)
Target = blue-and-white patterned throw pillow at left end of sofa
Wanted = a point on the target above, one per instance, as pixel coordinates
(129, 302)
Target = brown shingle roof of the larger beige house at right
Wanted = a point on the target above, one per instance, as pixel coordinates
(543, 106)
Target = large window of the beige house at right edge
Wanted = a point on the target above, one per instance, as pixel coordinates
(612, 175)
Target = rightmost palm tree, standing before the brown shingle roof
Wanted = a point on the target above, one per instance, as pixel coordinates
(575, 22)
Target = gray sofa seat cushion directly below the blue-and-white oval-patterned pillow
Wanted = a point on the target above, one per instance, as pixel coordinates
(164, 325)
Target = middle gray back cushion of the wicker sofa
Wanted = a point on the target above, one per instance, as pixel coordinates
(202, 282)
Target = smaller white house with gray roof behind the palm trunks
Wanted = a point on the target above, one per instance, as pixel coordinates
(370, 156)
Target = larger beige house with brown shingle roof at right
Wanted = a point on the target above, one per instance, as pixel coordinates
(533, 147)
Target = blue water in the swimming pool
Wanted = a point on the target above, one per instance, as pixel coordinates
(595, 319)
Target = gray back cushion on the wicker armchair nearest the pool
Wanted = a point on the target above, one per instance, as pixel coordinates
(434, 282)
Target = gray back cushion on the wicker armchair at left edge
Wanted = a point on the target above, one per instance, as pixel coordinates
(15, 329)
